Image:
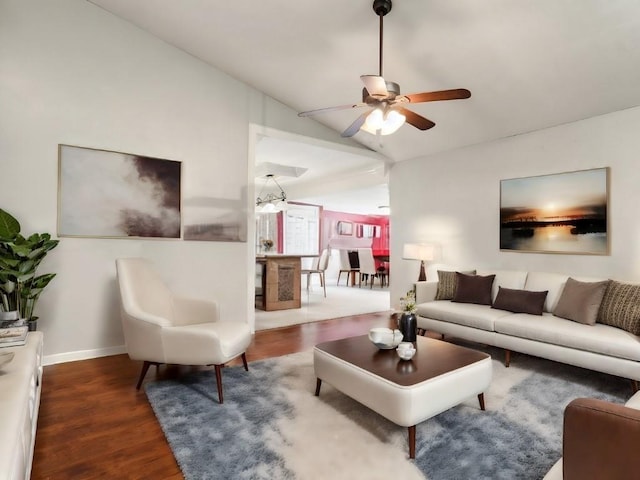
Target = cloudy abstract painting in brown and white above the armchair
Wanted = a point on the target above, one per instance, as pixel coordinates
(109, 194)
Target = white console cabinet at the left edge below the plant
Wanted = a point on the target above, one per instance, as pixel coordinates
(20, 386)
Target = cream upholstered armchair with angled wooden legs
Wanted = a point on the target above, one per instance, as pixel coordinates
(160, 327)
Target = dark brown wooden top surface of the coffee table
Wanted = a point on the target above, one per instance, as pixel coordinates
(432, 358)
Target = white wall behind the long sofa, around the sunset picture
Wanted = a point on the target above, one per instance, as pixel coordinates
(453, 199)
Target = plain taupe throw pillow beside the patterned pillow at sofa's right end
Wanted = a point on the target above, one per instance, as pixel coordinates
(580, 301)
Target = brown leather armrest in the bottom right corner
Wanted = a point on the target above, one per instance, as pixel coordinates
(600, 440)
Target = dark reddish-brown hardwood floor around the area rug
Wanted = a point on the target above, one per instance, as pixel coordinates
(93, 424)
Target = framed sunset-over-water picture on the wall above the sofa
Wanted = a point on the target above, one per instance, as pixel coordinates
(560, 213)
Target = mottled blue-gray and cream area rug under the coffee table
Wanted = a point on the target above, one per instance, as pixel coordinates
(271, 426)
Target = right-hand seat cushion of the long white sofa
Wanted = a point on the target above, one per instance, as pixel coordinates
(548, 328)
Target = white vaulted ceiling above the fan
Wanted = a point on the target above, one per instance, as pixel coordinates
(530, 64)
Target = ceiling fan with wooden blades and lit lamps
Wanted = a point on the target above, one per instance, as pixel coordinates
(387, 112)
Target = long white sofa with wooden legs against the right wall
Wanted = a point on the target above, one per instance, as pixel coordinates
(597, 347)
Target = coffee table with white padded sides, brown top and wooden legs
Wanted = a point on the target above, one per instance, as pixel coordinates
(407, 392)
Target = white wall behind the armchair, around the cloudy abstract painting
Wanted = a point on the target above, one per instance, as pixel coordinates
(72, 73)
